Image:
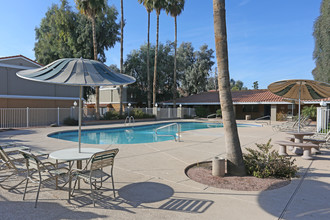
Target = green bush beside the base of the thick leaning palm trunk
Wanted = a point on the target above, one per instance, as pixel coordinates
(263, 163)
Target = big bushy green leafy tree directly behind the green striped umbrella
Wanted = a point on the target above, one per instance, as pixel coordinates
(64, 33)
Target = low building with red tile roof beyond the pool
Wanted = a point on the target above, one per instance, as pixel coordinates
(247, 103)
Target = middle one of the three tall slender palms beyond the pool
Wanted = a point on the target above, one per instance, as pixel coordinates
(158, 5)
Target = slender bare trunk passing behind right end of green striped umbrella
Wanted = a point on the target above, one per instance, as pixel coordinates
(121, 56)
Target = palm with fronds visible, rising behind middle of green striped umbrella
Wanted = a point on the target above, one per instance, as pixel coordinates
(91, 8)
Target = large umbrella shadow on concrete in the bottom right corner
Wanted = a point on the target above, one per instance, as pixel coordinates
(306, 200)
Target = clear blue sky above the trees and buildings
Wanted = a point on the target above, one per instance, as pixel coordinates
(268, 40)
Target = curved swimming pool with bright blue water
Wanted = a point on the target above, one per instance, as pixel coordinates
(132, 135)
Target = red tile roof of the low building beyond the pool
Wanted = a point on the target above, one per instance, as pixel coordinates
(260, 96)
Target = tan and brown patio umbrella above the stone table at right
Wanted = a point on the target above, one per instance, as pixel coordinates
(300, 89)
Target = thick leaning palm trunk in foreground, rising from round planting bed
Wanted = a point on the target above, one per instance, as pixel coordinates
(235, 164)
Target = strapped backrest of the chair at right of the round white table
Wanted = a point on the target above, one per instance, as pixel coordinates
(103, 159)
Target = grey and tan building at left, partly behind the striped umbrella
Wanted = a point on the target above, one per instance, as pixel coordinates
(16, 92)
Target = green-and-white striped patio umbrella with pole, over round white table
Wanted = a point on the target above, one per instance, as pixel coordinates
(77, 72)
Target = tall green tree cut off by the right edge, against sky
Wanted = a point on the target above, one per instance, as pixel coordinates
(321, 53)
